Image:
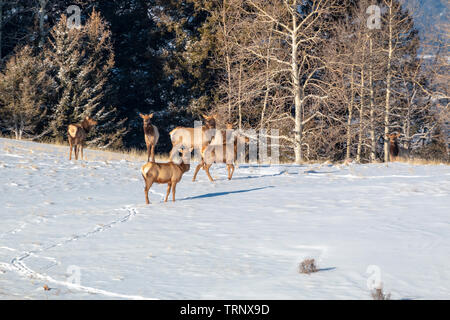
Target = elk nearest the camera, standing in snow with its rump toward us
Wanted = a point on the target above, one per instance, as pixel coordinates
(169, 173)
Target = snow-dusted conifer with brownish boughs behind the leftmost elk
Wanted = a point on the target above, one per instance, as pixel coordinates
(82, 60)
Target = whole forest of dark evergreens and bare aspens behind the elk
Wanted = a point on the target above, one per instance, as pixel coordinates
(333, 77)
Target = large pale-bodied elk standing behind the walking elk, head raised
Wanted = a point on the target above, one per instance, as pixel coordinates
(183, 137)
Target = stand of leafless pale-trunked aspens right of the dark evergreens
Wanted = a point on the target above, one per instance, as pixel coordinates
(333, 96)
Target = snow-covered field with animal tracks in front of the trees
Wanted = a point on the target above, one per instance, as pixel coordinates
(65, 221)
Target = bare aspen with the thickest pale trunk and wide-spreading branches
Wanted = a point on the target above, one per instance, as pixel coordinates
(299, 28)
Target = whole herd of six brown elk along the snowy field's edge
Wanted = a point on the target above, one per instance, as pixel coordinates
(214, 146)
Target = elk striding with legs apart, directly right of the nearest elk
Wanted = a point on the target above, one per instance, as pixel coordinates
(210, 155)
